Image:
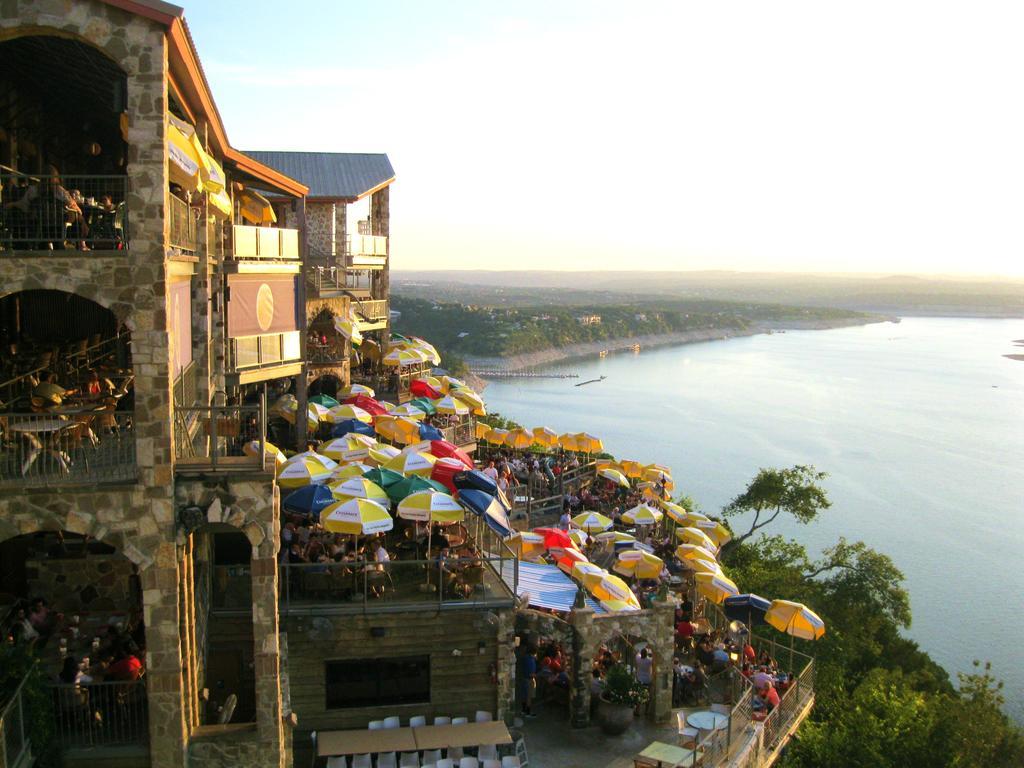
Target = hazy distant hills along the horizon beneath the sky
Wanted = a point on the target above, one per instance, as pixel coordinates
(888, 294)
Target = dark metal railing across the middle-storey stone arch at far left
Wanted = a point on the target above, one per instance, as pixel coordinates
(67, 447)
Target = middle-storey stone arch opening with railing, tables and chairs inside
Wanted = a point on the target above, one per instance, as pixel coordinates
(67, 402)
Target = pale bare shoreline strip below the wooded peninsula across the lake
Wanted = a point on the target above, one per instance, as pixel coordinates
(592, 349)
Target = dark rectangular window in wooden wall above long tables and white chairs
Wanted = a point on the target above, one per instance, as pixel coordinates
(377, 682)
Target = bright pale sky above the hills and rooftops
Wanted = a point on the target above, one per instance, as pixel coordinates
(591, 136)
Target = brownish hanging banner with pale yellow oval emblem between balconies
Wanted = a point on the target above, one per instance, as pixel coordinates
(263, 305)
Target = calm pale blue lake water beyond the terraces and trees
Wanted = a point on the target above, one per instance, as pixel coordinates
(920, 426)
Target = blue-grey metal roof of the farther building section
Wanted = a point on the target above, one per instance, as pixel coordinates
(332, 175)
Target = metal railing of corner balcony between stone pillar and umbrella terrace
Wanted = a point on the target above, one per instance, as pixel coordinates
(218, 437)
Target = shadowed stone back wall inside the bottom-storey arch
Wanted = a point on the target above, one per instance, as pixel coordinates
(96, 583)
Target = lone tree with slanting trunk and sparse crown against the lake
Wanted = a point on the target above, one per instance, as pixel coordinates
(774, 492)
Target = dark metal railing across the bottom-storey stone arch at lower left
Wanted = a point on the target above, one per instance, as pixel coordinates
(102, 714)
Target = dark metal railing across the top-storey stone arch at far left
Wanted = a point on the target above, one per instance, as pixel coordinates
(60, 215)
